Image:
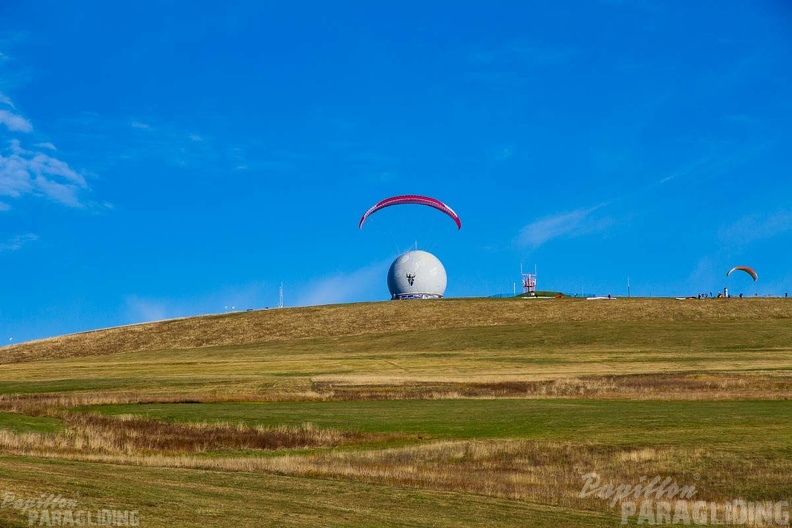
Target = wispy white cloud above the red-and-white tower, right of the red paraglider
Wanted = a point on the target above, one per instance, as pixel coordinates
(563, 225)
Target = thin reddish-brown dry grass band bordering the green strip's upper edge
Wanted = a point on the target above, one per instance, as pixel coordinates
(678, 386)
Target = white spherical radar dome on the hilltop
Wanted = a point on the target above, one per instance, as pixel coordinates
(417, 275)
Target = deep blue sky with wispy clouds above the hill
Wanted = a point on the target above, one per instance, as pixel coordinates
(164, 159)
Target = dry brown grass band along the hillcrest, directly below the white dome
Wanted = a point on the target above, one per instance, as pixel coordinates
(373, 318)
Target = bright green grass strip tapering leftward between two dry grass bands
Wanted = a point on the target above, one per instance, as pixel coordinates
(761, 426)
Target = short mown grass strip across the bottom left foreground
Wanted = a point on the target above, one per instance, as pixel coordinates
(168, 497)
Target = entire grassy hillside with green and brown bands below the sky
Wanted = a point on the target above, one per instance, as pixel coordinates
(453, 413)
